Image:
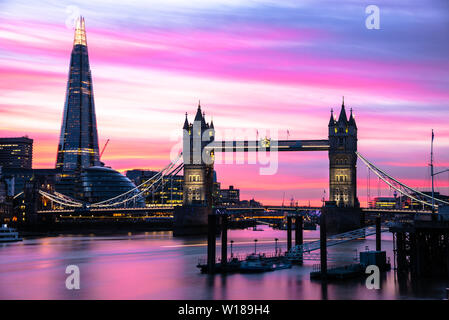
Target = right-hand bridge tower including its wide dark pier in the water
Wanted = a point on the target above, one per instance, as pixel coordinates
(343, 208)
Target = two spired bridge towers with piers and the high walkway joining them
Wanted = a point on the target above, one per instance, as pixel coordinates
(200, 147)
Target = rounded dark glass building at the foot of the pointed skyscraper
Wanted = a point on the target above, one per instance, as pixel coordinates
(102, 183)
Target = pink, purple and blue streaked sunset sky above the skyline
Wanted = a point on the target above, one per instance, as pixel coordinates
(274, 64)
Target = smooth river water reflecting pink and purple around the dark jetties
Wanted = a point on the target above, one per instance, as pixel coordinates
(154, 265)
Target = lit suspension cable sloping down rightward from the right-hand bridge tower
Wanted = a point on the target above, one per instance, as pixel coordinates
(399, 186)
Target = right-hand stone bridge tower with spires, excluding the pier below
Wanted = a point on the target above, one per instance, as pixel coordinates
(343, 160)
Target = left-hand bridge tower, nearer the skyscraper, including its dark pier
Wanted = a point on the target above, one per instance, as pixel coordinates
(191, 218)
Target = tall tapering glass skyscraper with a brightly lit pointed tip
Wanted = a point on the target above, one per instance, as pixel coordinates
(78, 143)
